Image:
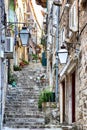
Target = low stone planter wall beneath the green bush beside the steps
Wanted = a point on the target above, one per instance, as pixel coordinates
(51, 113)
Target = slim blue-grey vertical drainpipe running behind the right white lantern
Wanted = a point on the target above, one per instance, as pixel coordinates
(57, 48)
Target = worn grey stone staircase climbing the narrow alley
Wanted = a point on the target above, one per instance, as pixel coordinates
(21, 110)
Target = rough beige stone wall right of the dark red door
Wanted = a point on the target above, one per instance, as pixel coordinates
(82, 88)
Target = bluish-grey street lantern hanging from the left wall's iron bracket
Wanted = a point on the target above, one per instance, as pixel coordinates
(24, 35)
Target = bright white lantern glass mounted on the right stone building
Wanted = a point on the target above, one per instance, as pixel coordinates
(63, 55)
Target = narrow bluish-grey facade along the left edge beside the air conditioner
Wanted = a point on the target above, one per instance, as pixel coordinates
(3, 64)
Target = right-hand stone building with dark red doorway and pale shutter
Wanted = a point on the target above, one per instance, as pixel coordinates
(73, 75)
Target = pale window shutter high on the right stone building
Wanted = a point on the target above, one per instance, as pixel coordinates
(73, 17)
